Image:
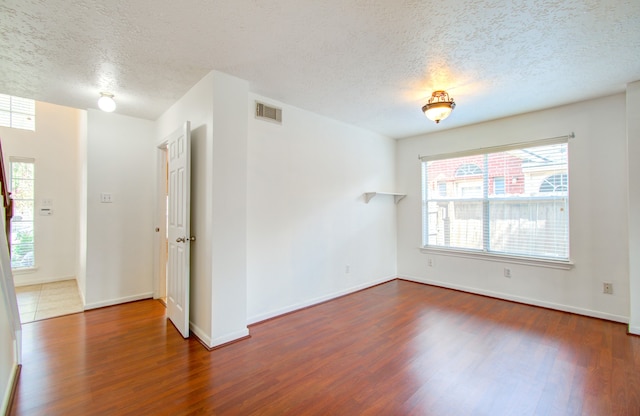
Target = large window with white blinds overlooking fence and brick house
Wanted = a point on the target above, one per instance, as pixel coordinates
(511, 201)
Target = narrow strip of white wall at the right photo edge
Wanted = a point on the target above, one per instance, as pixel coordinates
(633, 151)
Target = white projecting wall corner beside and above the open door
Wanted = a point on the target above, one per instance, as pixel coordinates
(216, 108)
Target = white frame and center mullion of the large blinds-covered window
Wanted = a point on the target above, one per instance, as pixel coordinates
(484, 253)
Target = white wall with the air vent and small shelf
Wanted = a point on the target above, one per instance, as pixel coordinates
(306, 215)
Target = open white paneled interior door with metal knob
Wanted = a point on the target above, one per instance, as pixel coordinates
(179, 178)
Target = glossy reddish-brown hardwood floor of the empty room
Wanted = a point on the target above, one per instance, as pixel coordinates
(400, 348)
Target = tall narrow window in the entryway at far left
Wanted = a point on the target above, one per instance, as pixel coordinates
(22, 223)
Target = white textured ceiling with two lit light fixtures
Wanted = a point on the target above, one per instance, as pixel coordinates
(372, 63)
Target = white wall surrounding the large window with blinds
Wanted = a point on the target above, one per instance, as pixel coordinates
(598, 211)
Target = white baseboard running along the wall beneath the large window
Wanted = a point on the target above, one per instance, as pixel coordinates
(520, 299)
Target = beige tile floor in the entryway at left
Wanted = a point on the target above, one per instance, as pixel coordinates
(48, 300)
